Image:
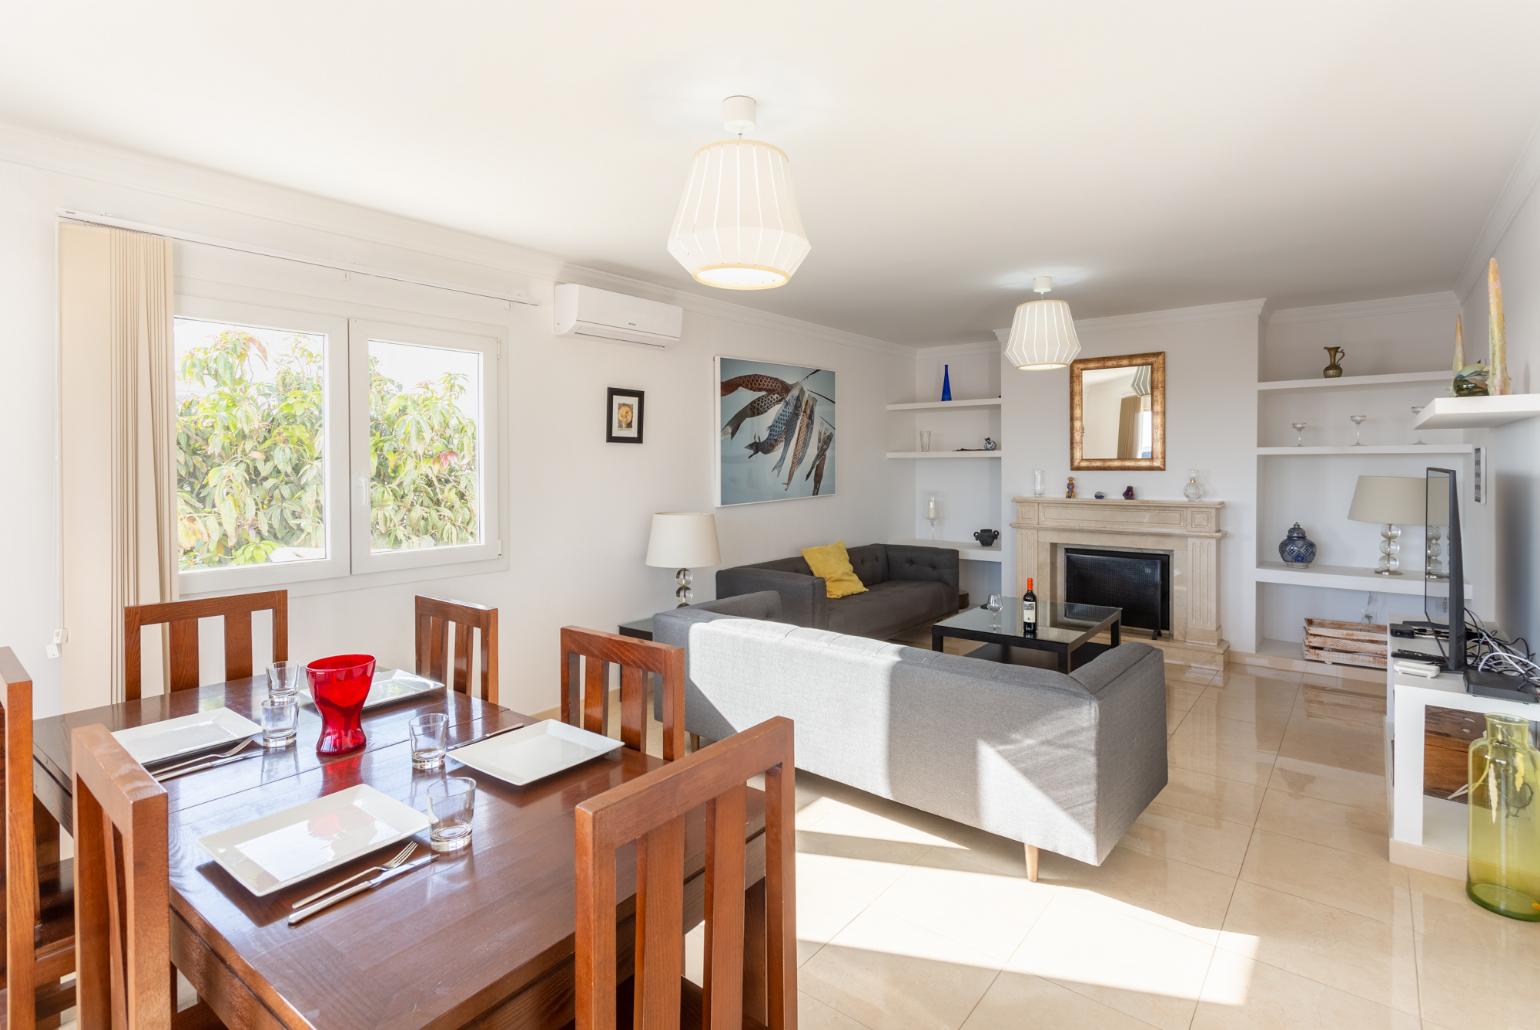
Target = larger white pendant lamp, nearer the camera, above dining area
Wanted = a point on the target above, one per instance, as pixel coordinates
(738, 226)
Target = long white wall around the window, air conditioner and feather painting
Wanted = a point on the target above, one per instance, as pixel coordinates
(578, 507)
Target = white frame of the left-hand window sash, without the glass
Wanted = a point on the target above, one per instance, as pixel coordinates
(335, 406)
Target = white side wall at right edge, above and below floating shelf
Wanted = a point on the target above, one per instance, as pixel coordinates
(1515, 450)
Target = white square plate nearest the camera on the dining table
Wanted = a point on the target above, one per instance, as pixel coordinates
(287, 848)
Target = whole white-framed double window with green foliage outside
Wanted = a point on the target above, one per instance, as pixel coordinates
(281, 412)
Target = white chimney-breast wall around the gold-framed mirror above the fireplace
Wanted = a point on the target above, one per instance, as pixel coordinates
(1211, 412)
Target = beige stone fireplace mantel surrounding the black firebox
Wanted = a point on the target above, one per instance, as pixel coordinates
(1190, 530)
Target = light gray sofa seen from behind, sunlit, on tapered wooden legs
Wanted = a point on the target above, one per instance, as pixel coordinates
(1062, 763)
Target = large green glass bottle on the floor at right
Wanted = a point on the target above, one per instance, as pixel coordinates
(1504, 864)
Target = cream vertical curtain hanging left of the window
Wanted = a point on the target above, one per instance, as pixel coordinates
(118, 473)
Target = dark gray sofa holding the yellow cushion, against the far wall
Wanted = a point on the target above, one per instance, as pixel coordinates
(906, 587)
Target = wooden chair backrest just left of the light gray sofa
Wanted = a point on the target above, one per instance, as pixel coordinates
(638, 660)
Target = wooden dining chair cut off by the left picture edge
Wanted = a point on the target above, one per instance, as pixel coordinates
(39, 901)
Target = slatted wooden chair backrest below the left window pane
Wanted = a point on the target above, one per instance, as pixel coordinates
(184, 617)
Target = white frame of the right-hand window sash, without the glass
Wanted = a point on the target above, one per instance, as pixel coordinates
(364, 558)
